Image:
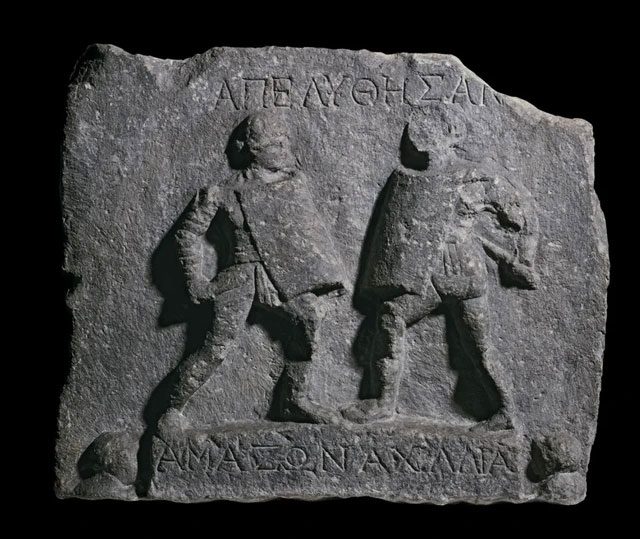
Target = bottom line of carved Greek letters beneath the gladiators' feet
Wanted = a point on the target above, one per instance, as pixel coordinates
(438, 459)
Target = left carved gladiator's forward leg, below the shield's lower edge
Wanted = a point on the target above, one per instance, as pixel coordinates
(307, 312)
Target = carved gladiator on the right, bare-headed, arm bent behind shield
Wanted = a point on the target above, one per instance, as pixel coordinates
(439, 219)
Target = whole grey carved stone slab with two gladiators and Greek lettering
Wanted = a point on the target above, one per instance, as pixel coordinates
(325, 273)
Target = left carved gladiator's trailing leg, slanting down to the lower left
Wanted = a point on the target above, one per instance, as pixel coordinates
(230, 310)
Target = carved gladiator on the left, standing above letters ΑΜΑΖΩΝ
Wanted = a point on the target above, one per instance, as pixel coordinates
(278, 257)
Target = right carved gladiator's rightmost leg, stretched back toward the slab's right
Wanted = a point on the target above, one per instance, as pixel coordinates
(472, 326)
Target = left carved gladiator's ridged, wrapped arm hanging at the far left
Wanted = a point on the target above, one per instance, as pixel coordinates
(189, 236)
